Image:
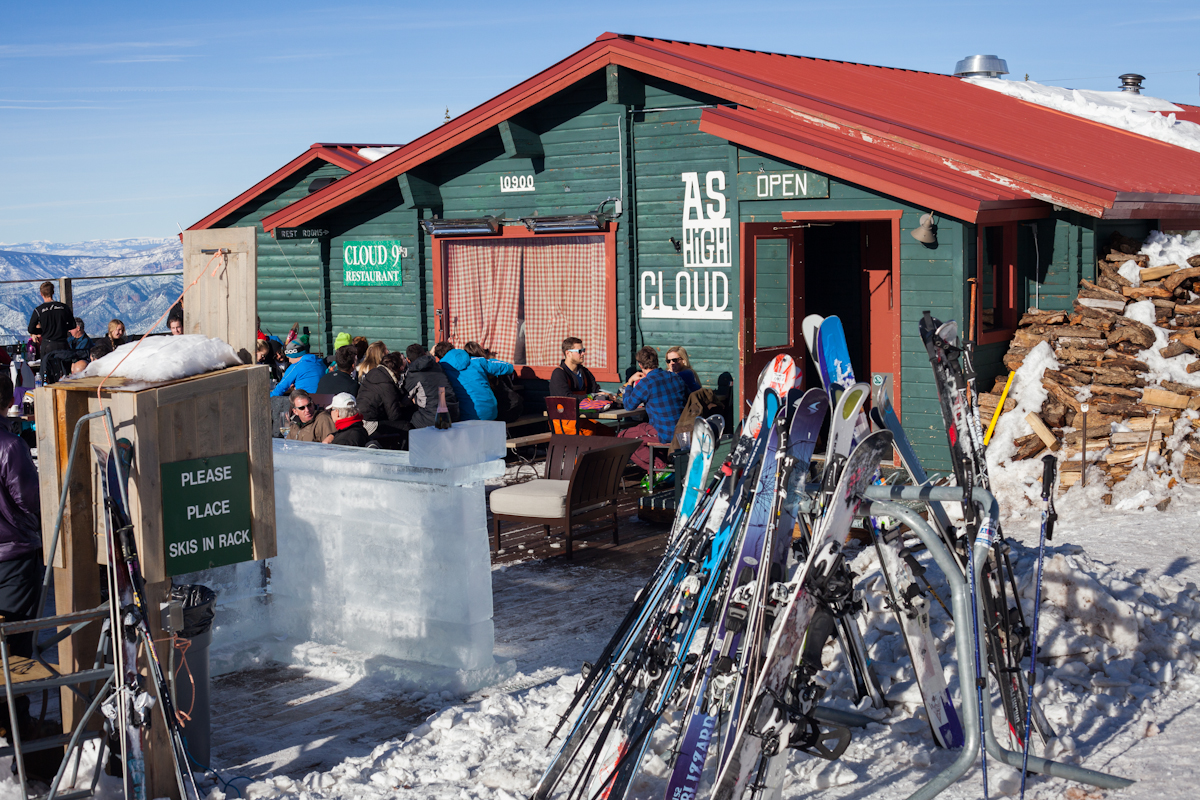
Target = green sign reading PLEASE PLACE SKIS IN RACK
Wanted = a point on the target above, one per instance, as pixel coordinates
(206, 513)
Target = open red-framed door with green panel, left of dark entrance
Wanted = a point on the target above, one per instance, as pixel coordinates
(772, 299)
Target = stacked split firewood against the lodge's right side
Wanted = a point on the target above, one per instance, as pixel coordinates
(1100, 350)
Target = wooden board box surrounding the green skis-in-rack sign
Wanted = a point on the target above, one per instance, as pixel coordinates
(214, 414)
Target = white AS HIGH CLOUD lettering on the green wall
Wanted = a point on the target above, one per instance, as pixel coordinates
(701, 290)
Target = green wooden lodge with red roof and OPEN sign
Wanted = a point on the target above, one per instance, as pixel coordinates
(657, 193)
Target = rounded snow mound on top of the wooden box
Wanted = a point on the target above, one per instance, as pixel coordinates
(165, 358)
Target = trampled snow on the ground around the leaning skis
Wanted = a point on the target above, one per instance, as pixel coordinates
(1119, 629)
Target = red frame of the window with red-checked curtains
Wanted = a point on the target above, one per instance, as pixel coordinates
(442, 291)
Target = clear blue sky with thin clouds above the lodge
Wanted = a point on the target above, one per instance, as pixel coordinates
(125, 119)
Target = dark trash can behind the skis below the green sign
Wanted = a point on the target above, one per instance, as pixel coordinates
(193, 694)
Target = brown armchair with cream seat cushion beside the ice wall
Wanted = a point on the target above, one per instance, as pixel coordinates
(583, 483)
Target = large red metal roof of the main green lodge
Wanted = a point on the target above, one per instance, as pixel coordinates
(928, 139)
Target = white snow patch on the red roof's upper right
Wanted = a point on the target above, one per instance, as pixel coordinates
(1120, 110)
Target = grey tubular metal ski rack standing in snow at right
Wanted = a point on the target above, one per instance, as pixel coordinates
(883, 502)
